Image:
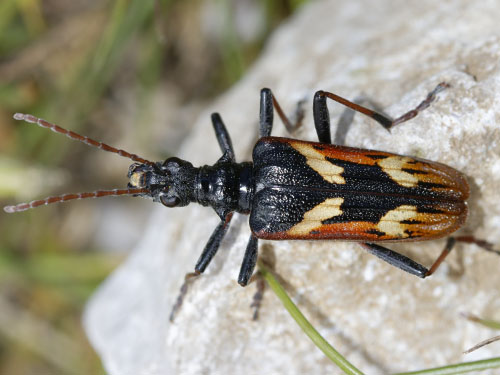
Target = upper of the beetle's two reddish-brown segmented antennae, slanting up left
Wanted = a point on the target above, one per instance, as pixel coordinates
(77, 137)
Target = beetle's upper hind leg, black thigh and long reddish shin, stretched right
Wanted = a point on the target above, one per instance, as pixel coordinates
(322, 120)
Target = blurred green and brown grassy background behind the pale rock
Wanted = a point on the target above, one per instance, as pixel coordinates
(131, 73)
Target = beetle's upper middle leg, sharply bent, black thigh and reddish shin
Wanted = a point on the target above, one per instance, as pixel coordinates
(267, 103)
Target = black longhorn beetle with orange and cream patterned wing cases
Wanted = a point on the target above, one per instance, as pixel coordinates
(299, 190)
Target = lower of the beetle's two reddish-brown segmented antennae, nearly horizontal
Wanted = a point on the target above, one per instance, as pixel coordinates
(68, 197)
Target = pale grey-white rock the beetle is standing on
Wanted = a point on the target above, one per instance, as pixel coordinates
(380, 318)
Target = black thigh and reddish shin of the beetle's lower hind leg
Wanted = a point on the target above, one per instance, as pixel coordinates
(406, 264)
